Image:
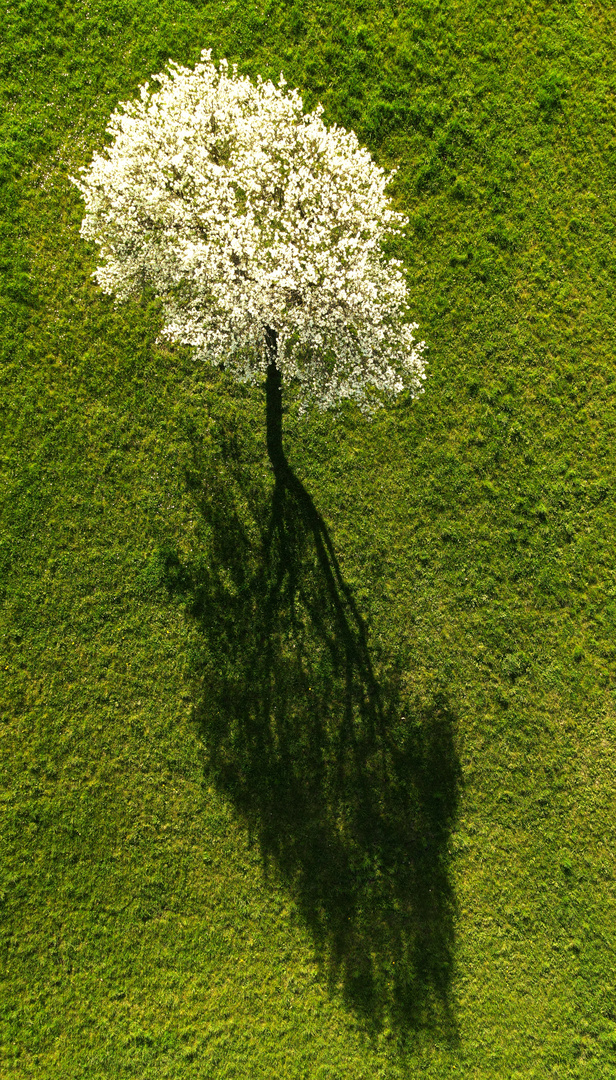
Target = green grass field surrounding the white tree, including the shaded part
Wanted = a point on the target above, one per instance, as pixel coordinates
(263, 820)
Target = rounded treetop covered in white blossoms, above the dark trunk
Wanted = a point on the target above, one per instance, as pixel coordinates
(260, 229)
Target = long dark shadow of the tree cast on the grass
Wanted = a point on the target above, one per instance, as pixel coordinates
(351, 794)
